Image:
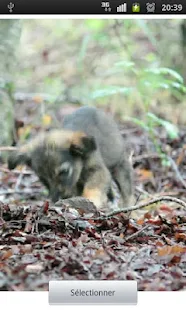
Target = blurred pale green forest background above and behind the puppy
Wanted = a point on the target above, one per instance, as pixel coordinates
(133, 68)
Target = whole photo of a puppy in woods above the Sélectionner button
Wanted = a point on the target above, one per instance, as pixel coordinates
(92, 152)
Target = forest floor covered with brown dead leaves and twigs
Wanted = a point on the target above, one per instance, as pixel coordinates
(40, 241)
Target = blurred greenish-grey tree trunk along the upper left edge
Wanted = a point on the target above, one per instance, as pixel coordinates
(9, 39)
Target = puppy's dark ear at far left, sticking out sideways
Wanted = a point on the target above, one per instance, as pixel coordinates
(19, 158)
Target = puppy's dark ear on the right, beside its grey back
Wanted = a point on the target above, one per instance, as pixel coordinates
(86, 145)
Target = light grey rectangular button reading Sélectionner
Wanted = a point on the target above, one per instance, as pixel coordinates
(93, 292)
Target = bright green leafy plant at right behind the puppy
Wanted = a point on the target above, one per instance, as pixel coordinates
(148, 83)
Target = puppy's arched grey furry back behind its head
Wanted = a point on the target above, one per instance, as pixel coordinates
(96, 123)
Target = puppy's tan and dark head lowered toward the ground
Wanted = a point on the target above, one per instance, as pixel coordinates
(57, 157)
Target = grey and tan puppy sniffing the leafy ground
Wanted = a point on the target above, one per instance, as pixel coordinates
(81, 159)
